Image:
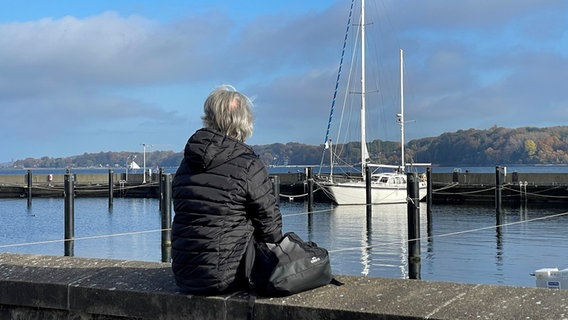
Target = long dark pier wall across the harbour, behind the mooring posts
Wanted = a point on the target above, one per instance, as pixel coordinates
(457, 187)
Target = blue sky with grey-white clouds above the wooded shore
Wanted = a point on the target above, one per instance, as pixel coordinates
(90, 76)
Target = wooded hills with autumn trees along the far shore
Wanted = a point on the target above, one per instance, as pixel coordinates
(472, 147)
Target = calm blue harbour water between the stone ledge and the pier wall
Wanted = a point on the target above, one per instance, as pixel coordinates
(462, 245)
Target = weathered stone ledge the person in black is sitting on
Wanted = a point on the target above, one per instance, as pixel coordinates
(39, 287)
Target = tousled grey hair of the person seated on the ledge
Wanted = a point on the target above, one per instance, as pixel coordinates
(229, 111)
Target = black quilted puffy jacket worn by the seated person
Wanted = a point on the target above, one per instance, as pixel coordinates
(222, 197)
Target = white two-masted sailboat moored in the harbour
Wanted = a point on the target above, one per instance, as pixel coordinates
(386, 187)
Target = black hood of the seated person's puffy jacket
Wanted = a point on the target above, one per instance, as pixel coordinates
(208, 149)
